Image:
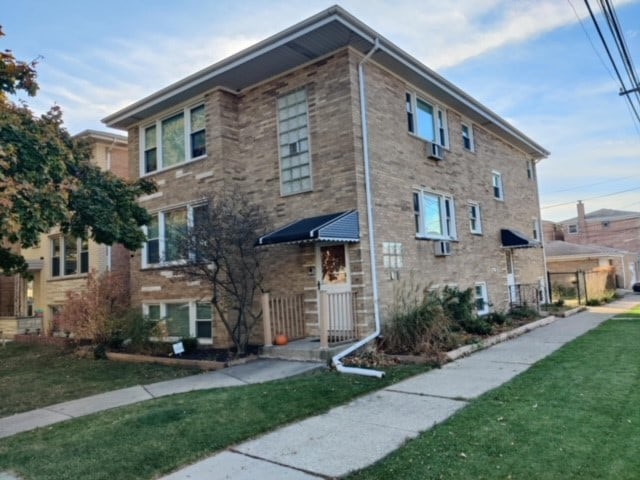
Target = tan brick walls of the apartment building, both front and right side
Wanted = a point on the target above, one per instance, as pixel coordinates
(243, 153)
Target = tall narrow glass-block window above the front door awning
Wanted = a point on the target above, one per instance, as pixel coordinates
(293, 131)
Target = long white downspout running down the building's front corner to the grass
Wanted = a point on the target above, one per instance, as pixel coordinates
(372, 243)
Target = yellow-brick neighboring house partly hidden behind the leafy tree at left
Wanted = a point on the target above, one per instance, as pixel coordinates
(61, 263)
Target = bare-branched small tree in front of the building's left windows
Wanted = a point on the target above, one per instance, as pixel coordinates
(220, 248)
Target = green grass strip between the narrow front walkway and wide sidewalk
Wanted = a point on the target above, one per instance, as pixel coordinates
(145, 440)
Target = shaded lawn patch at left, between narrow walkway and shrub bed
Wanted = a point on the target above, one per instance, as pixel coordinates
(33, 376)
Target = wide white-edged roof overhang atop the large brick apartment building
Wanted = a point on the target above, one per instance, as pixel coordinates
(328, 31)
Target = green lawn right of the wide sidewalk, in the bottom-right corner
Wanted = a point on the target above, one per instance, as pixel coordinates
(575, 414)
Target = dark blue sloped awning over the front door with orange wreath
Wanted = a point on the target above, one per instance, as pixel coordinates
(340, 227)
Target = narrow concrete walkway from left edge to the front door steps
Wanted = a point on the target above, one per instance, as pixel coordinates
(253, 372)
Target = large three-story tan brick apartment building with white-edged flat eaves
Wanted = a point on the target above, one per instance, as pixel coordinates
(329, 126)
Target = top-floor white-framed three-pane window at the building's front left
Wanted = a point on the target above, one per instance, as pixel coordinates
(174, 140)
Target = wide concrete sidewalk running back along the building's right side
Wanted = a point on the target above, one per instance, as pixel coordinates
(379, 423)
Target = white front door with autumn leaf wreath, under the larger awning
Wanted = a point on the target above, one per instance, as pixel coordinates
(334, 278)
